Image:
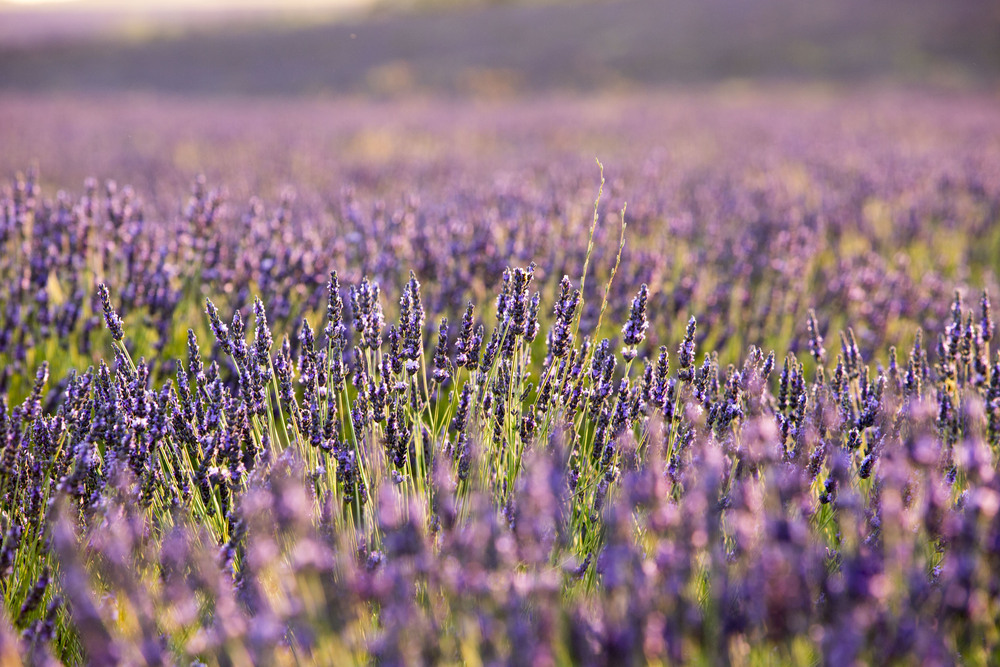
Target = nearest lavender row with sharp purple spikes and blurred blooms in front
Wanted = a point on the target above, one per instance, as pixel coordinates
(451, 499)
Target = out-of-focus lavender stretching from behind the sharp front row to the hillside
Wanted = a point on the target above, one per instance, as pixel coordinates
(870, 209)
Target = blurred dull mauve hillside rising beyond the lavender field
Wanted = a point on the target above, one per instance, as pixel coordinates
(503, 47)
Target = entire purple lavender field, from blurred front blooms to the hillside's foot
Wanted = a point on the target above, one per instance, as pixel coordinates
(419, 381)
